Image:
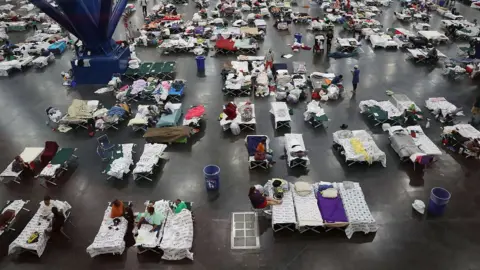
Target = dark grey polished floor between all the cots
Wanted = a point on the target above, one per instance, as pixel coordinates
(405, 240)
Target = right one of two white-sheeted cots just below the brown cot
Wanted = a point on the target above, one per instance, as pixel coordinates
(151, 155)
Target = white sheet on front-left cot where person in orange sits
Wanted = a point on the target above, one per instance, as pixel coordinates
(109, 240)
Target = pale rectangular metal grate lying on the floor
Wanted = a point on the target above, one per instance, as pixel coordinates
(244, 234)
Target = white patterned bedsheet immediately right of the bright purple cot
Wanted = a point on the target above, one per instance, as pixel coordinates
(359, 216)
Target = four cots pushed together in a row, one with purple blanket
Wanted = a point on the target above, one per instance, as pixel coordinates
(305, 207)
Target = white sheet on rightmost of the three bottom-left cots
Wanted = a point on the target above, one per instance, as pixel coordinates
(178, 236)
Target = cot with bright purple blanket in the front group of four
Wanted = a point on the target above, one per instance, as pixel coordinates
(332, 209)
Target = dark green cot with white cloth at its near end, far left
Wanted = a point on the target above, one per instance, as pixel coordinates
(60, 163)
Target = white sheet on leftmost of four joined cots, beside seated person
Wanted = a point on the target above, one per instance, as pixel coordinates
(283, 213)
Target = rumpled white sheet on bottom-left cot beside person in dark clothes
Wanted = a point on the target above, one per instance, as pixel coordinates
(37, 224)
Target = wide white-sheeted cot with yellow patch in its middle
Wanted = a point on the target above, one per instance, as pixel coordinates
(358, 146)
